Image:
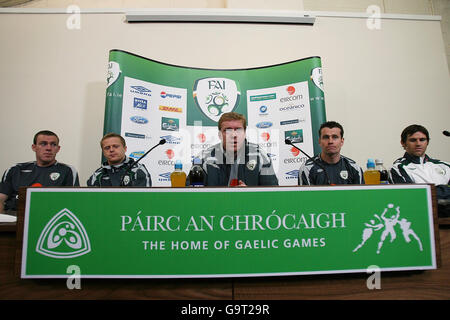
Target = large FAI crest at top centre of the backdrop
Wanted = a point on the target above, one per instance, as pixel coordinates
(215, 96)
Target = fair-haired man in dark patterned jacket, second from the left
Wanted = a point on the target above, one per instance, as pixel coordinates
(118, 169)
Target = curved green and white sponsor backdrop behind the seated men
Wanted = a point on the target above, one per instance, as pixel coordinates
(147, 100)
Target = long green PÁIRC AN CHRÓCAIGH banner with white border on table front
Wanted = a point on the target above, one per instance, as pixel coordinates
(233, 233)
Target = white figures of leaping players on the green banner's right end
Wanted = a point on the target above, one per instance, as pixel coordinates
(388, 225)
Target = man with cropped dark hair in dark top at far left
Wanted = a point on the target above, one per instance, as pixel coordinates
(45, 171)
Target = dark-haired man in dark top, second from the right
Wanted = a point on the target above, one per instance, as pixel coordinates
(339, 169)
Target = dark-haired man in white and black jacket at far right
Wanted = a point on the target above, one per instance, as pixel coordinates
(416, 166)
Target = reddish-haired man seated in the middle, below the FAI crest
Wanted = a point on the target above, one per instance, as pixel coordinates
(235, 161)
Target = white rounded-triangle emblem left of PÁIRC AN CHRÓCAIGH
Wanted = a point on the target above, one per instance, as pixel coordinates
(63, 237)
